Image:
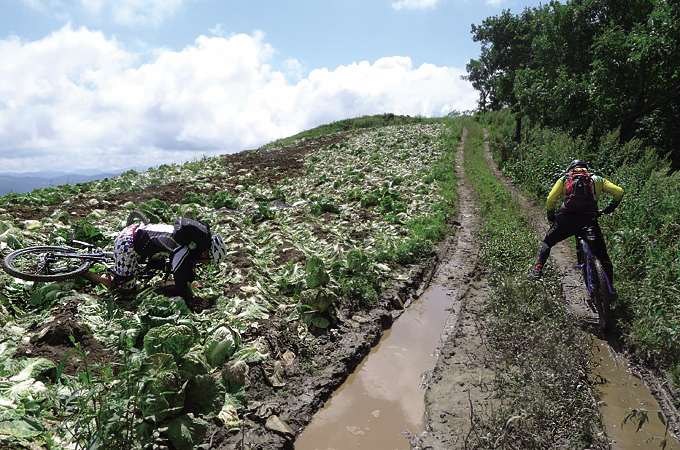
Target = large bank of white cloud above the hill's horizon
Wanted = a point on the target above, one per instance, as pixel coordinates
(76, 99)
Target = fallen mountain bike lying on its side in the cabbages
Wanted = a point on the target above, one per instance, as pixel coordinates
(54, 263)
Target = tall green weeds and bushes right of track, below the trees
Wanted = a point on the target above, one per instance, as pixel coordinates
(643, 234)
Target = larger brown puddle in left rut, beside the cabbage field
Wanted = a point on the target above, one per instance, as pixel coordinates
(383, 398)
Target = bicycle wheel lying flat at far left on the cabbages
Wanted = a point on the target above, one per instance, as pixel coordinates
(43, 264)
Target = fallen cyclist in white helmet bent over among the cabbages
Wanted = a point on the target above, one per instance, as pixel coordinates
(187, 242)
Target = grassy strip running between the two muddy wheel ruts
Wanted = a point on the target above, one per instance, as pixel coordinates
(542, 386)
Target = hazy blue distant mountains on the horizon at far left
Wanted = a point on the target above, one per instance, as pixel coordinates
(20, 183)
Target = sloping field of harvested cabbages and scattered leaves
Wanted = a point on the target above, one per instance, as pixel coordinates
(318, 226)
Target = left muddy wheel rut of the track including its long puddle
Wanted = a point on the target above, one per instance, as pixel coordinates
(451, 377)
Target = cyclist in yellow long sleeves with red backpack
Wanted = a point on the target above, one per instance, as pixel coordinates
(580, 190)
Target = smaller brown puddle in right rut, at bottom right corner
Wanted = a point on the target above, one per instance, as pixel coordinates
(622, 392)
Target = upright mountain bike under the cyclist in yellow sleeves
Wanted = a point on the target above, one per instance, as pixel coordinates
(599, 286)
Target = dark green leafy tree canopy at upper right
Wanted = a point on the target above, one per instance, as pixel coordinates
(586, 66)
